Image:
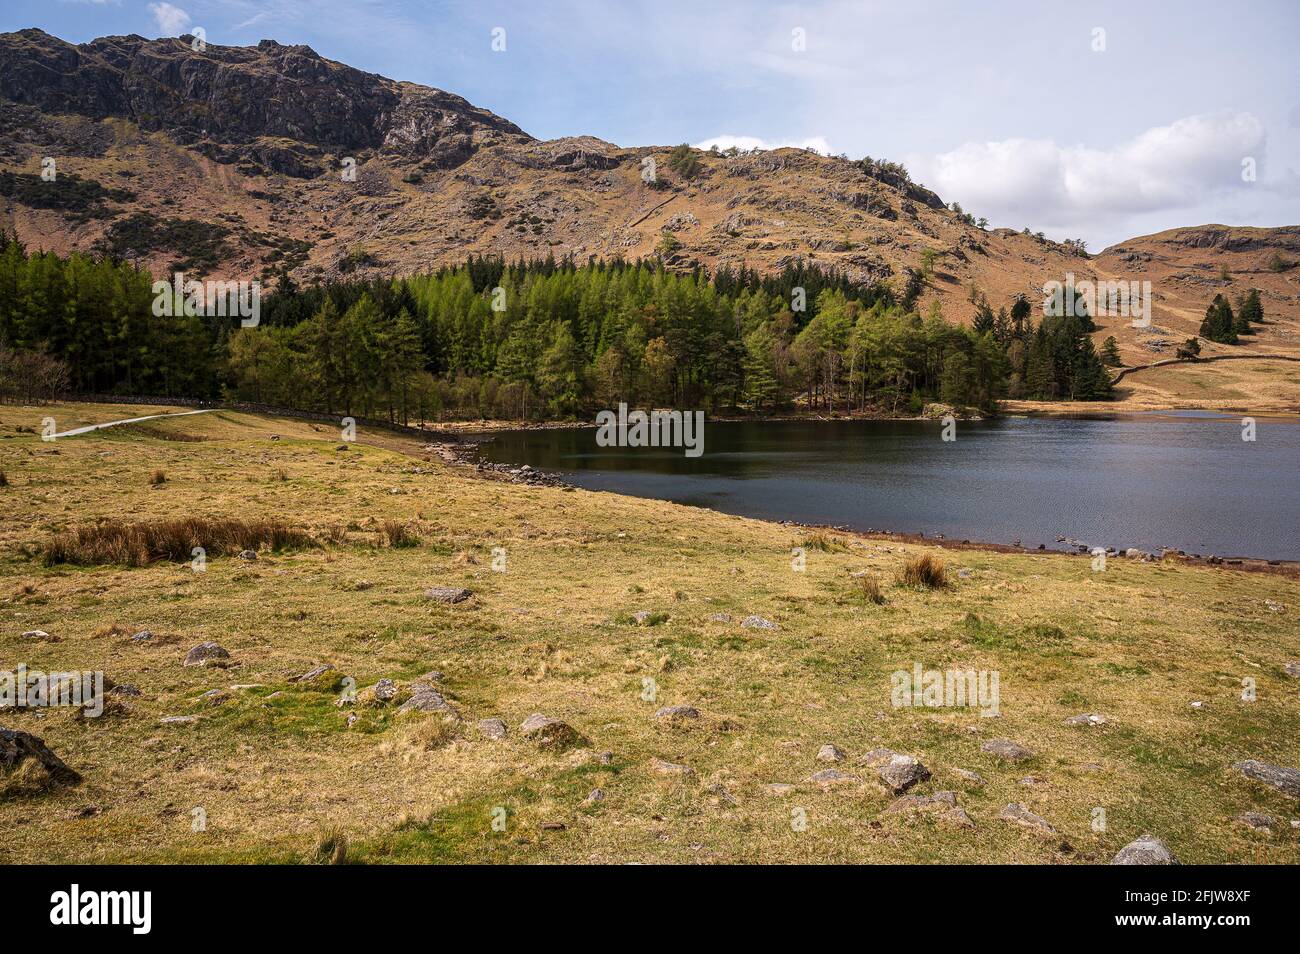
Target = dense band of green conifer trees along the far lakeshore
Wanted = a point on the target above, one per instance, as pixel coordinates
(545, 340)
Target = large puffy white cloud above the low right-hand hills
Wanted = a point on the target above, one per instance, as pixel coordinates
(1025, 181)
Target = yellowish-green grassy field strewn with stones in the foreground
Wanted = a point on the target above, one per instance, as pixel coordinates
(284, 774)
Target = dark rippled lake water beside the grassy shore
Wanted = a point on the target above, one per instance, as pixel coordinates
(1186, 482)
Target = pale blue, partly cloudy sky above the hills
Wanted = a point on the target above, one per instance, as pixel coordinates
(1082, 120)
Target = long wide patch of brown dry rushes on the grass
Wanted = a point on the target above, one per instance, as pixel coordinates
(137, 545)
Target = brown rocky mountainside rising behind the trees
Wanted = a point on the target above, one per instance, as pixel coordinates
(241, 162)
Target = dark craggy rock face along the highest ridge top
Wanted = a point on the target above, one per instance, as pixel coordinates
(240, 94)
